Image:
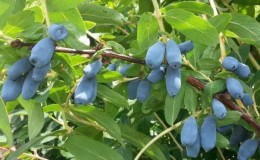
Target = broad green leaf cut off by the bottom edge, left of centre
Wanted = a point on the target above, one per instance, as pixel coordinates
(83, 147)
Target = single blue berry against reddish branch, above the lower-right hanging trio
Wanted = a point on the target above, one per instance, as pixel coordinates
(219, 109)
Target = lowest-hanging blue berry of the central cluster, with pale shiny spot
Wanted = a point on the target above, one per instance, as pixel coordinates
(173, 81)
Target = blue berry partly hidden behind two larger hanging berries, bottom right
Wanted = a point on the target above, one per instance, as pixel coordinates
(193, 151)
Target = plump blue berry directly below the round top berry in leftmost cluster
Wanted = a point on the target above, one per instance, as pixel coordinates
(42, 52)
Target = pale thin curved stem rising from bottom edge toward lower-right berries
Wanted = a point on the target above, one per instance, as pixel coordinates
(156, 138)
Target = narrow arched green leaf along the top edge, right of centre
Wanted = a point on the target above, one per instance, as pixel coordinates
(195, 7)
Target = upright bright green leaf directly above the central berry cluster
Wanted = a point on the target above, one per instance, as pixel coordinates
(147, 31)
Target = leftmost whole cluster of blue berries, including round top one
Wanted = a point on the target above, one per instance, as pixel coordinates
(26, 74)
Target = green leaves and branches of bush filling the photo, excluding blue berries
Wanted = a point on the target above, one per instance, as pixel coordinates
(51, 126)
